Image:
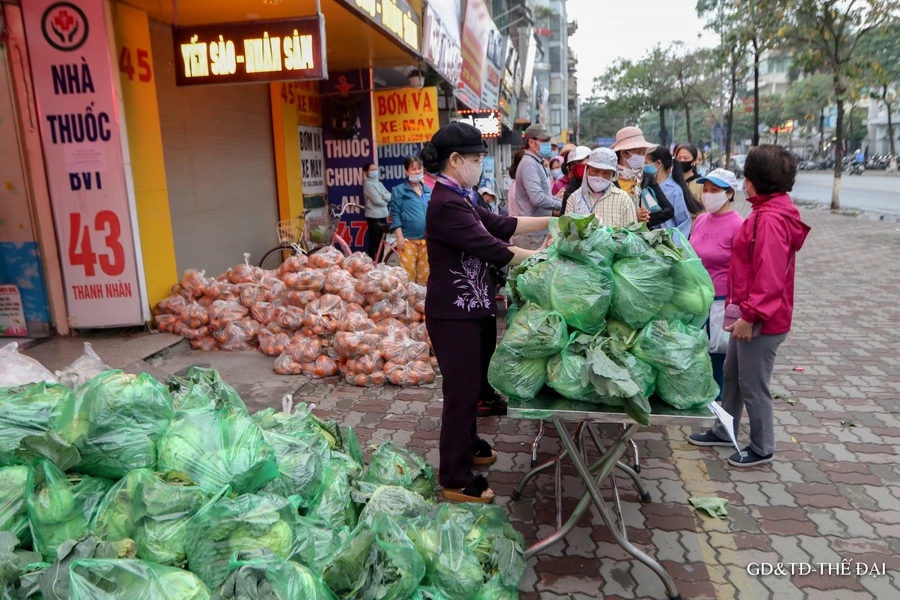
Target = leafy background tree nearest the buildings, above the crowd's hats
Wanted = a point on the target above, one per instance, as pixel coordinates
(640, 87)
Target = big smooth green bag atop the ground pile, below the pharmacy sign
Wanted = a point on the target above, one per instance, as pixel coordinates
(126, 416)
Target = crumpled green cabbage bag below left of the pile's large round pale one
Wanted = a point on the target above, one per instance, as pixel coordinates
(153, 510)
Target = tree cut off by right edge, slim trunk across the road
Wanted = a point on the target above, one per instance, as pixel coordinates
(879, 56)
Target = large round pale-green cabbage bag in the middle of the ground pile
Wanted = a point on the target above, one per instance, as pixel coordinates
(217, 446)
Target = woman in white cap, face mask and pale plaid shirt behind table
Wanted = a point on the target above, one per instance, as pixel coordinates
(597, 195)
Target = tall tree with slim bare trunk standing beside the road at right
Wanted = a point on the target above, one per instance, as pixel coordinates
(827, 34)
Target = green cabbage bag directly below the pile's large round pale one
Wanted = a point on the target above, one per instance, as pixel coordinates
(228, 525)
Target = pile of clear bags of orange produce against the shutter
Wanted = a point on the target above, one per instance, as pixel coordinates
(320, 316)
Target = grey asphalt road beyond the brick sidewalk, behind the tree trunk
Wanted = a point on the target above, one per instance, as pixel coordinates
(874, 192)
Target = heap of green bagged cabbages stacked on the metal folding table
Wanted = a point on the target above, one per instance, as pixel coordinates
(608, 316)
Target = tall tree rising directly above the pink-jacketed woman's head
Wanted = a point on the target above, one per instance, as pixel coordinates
(755, 22)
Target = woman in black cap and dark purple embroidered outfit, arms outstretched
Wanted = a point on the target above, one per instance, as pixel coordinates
(460, 310)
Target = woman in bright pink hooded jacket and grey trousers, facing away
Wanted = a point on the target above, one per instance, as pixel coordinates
(761, 288)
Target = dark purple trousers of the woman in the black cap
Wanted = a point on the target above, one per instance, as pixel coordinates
(464, 349)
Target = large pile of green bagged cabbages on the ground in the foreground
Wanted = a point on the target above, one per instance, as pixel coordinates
(127, 488)
